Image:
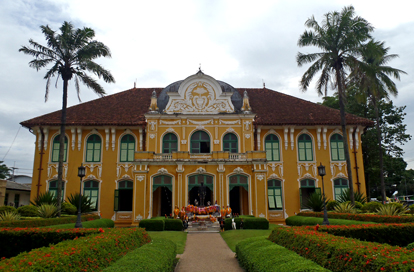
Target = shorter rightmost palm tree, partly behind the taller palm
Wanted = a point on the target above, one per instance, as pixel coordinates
(372, 77)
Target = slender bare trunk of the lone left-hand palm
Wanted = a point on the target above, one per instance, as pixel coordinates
(62, 144)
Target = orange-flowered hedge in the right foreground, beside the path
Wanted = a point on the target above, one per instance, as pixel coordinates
(340, 253)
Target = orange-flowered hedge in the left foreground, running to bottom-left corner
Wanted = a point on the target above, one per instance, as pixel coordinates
(91, 253)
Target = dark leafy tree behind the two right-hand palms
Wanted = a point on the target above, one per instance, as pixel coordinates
(394, 134)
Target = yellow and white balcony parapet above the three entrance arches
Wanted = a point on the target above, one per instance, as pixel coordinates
(184, 156)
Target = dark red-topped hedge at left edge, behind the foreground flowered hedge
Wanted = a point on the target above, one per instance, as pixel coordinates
(17, 240)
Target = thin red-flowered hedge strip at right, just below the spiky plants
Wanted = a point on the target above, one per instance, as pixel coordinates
(363, 217)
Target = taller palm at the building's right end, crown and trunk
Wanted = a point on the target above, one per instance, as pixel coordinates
(340, 38)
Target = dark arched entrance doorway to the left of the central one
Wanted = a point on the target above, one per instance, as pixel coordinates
(162, 195)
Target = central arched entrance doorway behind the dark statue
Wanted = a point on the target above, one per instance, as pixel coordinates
(194, 183)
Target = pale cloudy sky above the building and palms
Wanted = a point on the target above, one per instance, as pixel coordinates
(154, 43)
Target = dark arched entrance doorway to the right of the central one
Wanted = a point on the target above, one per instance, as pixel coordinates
(239, 194)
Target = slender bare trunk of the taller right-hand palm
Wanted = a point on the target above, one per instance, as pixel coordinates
(344, 134)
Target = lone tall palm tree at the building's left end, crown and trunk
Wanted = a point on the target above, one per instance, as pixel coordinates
(71, 53)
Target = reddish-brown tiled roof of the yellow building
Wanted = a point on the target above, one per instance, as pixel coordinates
(127, 108)
